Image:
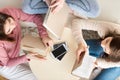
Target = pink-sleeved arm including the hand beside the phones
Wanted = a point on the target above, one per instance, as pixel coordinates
(38, 20)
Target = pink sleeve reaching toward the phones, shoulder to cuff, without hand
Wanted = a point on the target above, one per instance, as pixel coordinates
(37, 19)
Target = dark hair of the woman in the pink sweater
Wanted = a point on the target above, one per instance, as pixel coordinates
(3, 36)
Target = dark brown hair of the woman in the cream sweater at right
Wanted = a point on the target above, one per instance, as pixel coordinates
(114, 56)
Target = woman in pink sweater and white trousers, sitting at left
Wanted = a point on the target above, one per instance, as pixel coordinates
(11, 66)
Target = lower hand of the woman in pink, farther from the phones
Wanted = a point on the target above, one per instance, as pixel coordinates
(37, 56)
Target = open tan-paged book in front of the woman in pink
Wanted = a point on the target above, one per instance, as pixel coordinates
(33, 44)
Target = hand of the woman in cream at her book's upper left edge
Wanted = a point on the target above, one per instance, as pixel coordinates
(81, 50)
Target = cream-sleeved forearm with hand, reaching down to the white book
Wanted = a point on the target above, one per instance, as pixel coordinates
(77, 33)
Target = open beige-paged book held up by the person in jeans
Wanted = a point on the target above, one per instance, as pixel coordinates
(55, 22)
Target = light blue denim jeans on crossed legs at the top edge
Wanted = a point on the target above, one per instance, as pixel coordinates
(88, 8)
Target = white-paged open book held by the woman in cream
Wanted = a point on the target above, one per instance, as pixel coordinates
(85, 67)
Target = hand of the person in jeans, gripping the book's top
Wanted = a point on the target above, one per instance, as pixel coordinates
(56, 5)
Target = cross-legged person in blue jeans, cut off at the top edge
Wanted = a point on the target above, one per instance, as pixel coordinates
(81, 8)
